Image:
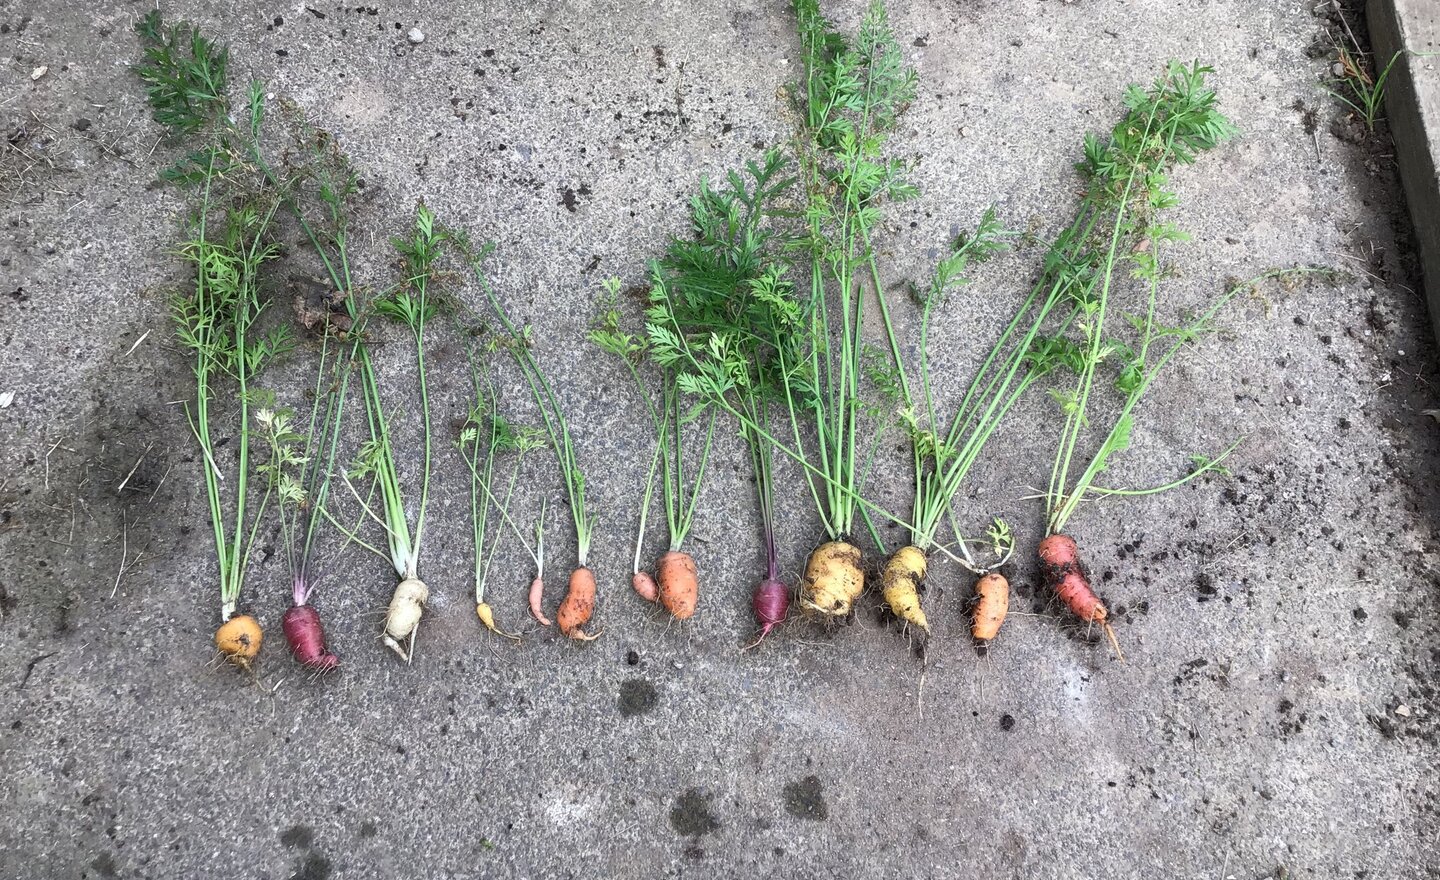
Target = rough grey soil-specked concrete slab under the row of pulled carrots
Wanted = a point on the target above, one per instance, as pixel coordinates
(1278, 715)
